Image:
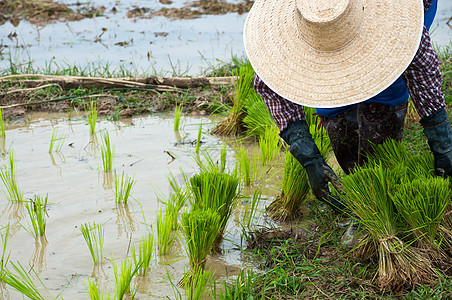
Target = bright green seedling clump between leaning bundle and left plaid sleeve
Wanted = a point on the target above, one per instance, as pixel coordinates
(258, 118)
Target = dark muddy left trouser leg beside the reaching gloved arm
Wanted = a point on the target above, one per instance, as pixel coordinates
(344, 136)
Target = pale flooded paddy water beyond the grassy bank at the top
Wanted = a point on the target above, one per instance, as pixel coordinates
(158, 44)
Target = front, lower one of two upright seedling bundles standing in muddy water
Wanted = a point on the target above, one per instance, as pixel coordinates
(200, 229)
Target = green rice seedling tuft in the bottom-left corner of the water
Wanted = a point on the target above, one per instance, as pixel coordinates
(22, 282)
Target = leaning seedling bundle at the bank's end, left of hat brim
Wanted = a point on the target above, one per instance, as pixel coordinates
(243, 84)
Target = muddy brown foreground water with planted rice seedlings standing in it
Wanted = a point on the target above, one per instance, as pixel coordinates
(79, 192)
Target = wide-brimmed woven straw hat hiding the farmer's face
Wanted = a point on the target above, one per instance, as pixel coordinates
(331, 53)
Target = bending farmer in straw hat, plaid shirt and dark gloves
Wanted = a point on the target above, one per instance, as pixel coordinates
(357, 62)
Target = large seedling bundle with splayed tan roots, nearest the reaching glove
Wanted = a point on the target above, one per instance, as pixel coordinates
(367, 194)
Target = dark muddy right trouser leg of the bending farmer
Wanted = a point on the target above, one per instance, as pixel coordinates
(377, 123)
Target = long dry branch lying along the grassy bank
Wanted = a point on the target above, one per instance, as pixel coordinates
(70, 82)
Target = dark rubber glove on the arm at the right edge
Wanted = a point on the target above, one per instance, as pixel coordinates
(439, 135)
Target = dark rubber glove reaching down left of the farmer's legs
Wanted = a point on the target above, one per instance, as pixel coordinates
(304, 149)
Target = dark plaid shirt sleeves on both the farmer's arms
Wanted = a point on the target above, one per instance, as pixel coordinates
(422, 78)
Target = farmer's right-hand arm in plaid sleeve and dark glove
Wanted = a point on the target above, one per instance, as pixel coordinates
(423, 80)
